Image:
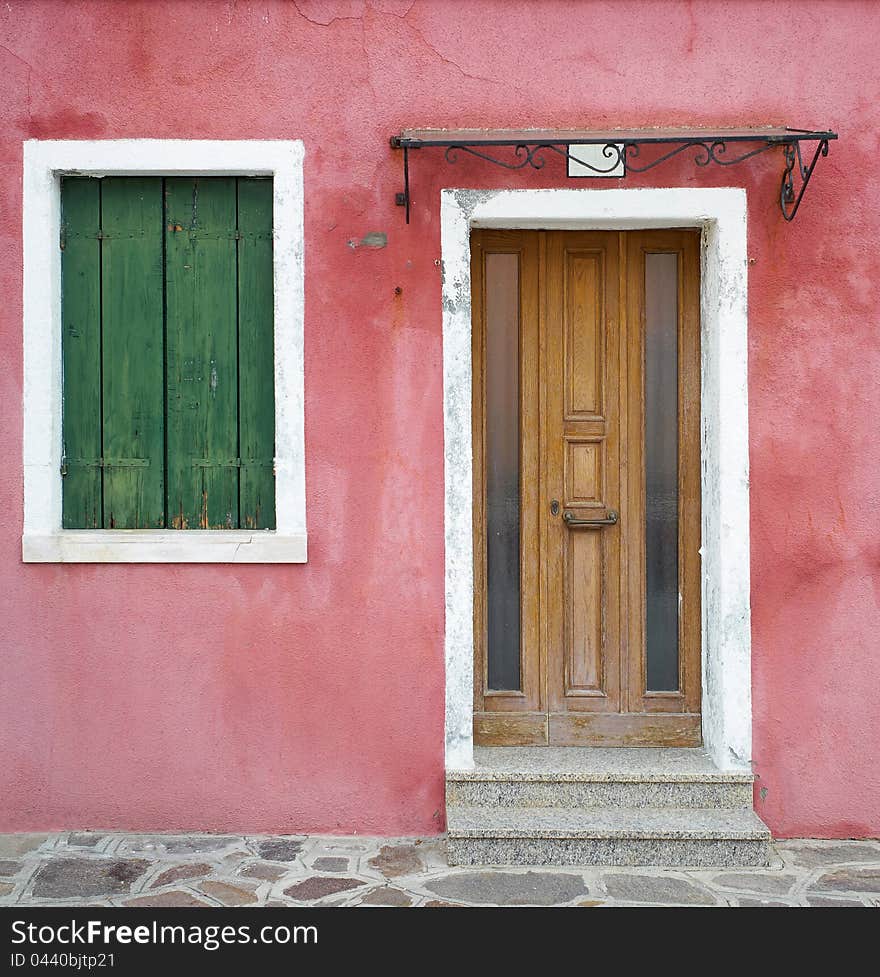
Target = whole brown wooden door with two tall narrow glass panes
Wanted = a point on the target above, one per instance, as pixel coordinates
(586, 487)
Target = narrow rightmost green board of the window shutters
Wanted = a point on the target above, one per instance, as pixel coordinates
(256, 354)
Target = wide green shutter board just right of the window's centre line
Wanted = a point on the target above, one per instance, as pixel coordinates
(201, 353)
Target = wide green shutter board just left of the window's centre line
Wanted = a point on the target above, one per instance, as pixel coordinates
(133, 368)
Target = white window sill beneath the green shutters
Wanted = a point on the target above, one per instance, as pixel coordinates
(157, 546)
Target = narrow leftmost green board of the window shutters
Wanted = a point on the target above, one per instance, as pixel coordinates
(81, 352)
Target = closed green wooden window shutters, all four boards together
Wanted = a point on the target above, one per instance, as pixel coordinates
(167, 316)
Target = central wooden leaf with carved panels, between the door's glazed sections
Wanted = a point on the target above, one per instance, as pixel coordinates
(581, 436)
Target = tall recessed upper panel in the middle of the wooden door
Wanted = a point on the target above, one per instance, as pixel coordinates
(584, 369)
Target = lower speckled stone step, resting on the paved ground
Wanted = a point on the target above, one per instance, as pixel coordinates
(605, 836)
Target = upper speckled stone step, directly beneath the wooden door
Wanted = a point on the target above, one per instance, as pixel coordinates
(567, 777)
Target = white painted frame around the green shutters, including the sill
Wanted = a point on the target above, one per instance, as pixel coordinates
(44, 163)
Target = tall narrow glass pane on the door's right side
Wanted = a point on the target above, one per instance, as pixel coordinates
(661, 470)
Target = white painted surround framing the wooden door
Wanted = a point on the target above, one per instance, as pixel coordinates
(726, 626)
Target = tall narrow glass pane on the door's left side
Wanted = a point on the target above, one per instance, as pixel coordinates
(502, 470)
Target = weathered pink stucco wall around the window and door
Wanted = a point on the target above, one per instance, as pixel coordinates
(311, 697)
